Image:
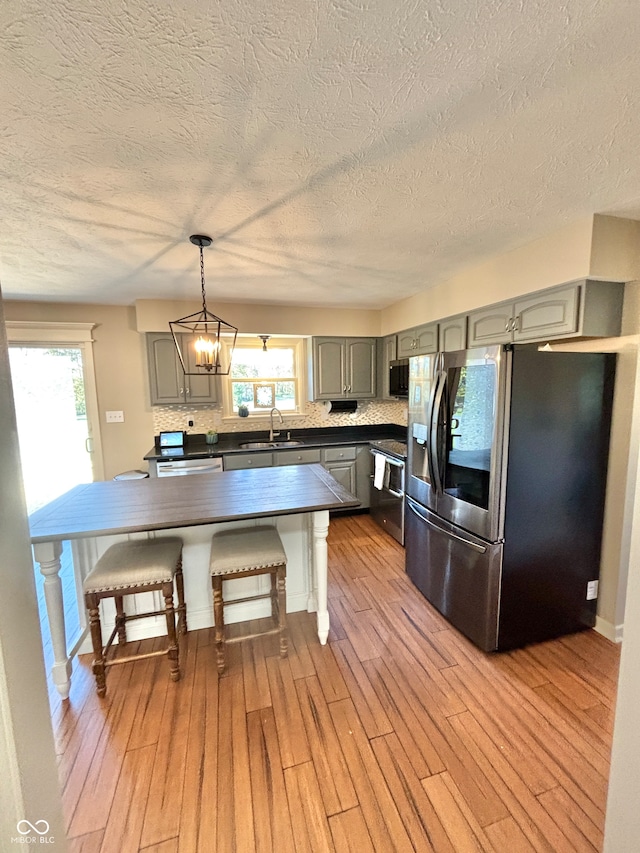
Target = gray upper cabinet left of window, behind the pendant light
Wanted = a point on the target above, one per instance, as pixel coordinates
(167, 381)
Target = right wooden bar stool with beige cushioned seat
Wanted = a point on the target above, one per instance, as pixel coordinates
(241, 553)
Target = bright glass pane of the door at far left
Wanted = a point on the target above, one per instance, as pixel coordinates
(54, 430)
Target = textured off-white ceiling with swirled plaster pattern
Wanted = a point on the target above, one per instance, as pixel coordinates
(341, 152)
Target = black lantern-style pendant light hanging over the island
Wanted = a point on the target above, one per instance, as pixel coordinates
(198, 337)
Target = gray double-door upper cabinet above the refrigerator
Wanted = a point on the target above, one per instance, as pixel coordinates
(583, 309)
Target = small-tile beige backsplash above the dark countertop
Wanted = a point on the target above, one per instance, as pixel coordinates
(316, 415)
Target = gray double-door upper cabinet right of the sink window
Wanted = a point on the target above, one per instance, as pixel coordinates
(343, 368)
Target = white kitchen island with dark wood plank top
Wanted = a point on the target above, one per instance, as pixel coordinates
(296, 499)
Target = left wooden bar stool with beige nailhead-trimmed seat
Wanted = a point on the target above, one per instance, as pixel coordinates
(140, 565)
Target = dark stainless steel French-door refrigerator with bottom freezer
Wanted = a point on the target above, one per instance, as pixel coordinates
(506, 477)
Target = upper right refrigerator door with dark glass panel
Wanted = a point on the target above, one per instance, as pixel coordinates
(468, 435)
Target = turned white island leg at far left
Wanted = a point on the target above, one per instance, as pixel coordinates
(47, 555)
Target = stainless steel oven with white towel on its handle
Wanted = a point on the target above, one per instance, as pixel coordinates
(387, 487)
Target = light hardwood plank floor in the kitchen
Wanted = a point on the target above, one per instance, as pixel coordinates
(397, 735)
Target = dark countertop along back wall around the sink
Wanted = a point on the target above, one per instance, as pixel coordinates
(229, 442)
